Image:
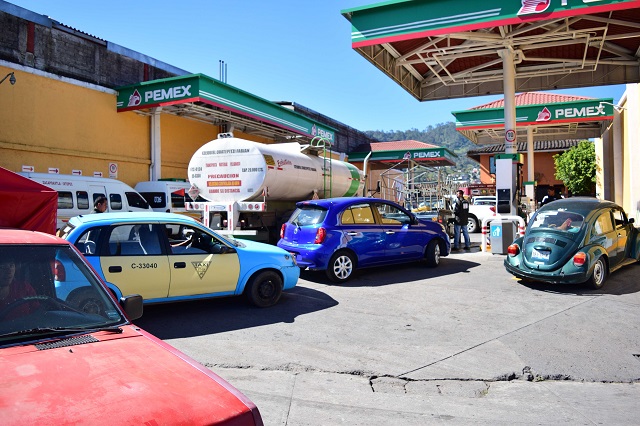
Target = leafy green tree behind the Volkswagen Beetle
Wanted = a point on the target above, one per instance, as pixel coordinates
(577, 168)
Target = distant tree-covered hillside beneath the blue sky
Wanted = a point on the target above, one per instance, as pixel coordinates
(443, 134)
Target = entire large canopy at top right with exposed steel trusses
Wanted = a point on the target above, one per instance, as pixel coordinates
(442, 49)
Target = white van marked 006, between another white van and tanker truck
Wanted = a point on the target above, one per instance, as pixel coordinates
(167, 196)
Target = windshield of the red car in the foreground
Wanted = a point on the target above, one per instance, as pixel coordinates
(49, 291)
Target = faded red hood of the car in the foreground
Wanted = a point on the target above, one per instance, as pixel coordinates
(123, 379)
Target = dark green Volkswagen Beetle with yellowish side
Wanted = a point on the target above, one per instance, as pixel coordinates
(573, 241)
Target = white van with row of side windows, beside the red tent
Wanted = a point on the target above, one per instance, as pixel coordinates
(77, 194)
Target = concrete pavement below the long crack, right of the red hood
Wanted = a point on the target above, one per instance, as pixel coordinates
(310, 398)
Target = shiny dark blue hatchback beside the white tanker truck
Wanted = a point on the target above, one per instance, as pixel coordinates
(340, 235)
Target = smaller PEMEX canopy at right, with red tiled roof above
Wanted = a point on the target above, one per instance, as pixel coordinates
(552, 116)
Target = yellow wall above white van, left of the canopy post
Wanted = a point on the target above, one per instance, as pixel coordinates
(49, 123)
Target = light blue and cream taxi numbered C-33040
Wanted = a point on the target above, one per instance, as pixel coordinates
(168, 257)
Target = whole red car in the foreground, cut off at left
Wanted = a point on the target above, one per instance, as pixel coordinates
(63, 364)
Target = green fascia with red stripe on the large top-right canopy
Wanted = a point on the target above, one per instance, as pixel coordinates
(398, 20)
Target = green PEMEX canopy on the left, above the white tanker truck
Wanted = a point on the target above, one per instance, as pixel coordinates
(202, 98)
